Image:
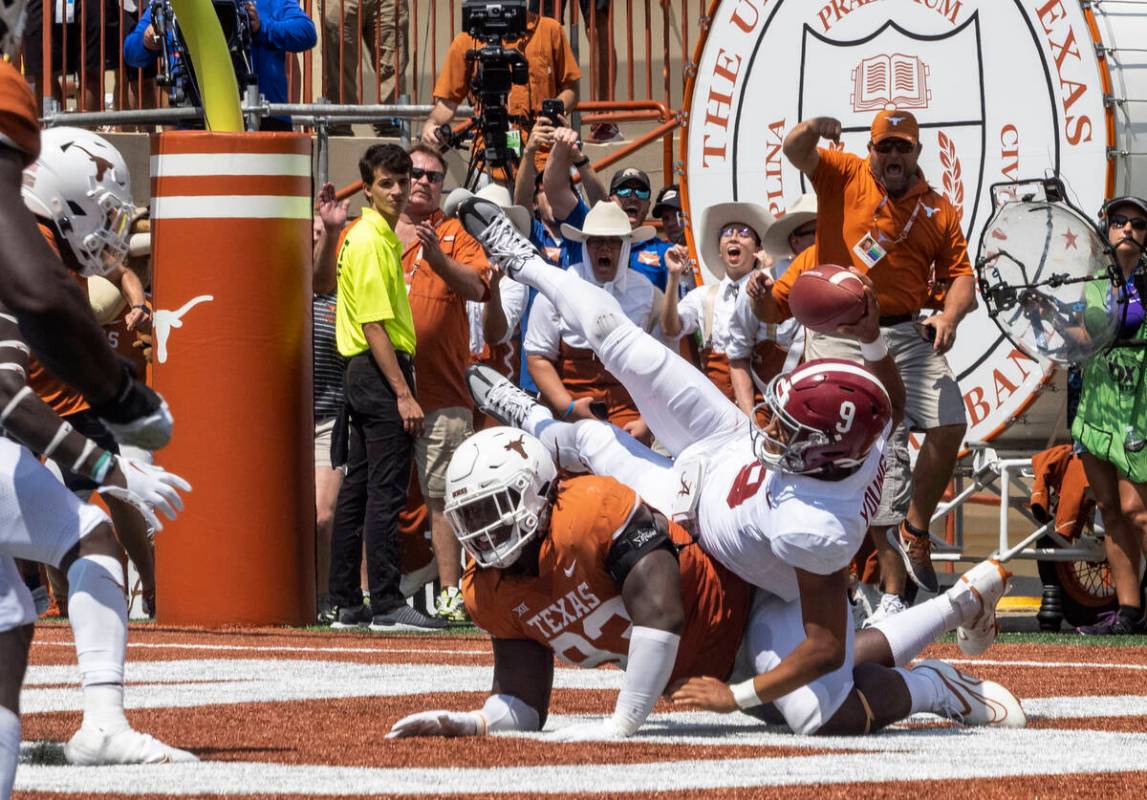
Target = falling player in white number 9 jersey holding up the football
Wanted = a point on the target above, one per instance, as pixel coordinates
(782, 500)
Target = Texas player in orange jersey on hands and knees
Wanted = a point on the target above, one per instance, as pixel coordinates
(582, 569)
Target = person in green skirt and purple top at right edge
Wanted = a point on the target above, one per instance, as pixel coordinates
(1111, 424)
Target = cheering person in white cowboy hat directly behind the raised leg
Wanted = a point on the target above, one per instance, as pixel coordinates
(573, 383)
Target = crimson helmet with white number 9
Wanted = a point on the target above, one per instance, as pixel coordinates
(826, 414)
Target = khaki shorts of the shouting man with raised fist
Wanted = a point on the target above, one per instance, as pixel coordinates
(934, 398)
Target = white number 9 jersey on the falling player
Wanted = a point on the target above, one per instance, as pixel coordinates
(763, 525)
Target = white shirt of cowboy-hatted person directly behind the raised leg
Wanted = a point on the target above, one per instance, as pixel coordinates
(636, 294)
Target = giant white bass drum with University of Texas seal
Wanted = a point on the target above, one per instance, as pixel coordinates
(1004, 90)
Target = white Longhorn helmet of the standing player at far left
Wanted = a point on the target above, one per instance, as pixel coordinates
(81, 184)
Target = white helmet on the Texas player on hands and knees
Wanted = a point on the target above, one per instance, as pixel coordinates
(498, 484)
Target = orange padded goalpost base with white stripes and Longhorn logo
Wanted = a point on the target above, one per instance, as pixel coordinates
(231, 226)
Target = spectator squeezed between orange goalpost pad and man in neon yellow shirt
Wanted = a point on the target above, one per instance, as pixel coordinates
(330, 368)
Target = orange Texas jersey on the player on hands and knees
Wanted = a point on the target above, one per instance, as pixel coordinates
(574, 608)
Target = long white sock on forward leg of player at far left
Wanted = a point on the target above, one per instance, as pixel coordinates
(98, 612)
